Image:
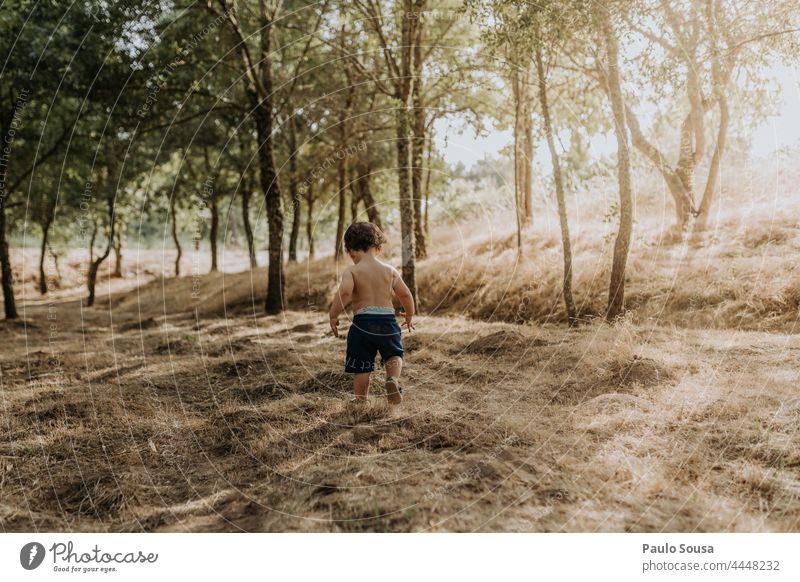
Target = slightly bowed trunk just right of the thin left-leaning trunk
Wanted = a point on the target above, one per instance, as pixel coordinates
(616, 292)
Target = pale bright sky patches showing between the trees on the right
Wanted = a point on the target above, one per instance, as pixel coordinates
(780, 130)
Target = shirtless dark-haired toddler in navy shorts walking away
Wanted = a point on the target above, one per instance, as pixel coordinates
(369, 285)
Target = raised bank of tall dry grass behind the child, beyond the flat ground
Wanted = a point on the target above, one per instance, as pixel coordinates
(736, 276)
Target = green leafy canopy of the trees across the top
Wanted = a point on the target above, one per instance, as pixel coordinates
(123, 109)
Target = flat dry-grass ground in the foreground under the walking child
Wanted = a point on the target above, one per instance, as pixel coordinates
(115, 420)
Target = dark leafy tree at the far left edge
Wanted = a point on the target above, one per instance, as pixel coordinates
(35, 120)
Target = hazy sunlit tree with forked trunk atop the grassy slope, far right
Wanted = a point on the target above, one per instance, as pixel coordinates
(694, 48)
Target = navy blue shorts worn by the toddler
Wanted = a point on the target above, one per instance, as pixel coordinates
(372, 333)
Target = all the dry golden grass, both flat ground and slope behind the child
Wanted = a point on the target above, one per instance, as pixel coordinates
(158, 410)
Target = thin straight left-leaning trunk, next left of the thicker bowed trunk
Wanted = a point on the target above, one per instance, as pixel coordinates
(572, 313)
